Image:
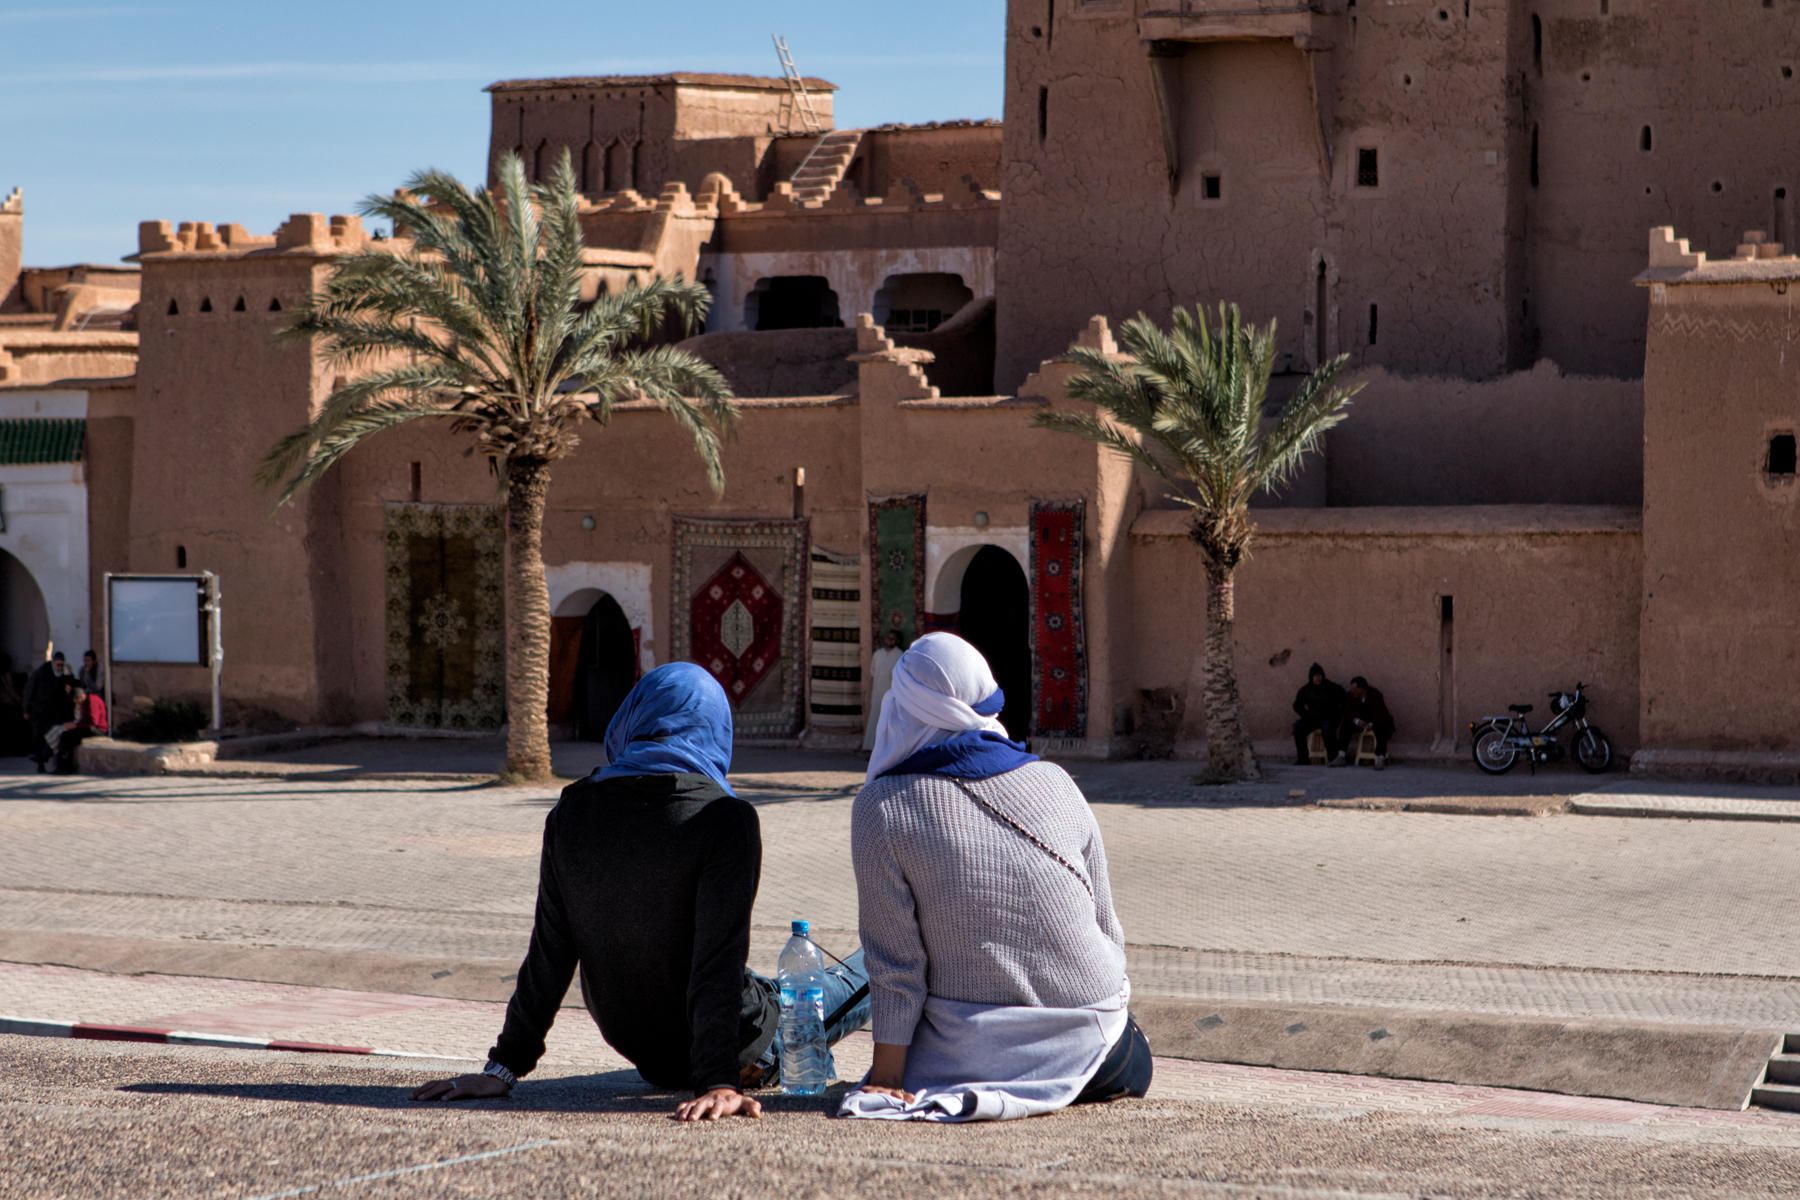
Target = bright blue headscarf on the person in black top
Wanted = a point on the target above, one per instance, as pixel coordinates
(676, 721)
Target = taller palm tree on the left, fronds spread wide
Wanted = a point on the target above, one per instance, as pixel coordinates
(478, 321)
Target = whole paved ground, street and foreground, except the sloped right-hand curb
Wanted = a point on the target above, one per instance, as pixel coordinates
(379, 895)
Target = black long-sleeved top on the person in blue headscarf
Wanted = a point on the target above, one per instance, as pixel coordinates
(647, 882)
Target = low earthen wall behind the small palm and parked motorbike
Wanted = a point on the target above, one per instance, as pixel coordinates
(1542, 598)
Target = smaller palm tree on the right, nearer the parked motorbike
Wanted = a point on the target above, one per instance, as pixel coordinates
(1189, 407)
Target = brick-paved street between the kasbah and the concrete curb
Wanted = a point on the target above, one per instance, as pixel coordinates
(1554, 917)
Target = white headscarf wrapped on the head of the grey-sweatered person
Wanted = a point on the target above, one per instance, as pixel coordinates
(939, 683)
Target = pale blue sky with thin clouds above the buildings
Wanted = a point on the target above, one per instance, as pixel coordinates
(112, 114)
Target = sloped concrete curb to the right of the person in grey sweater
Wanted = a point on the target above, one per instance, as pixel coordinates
(1677, 1066)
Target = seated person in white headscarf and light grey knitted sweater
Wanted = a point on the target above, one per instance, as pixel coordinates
(971, 846)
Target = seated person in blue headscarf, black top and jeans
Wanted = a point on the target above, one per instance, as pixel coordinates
(647, 884)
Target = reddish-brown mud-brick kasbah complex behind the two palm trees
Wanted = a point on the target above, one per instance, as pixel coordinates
(1574, 458)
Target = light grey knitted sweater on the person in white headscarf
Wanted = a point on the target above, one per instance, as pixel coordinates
(957, 904)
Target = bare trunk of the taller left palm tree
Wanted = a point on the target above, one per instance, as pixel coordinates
(528, 622)
